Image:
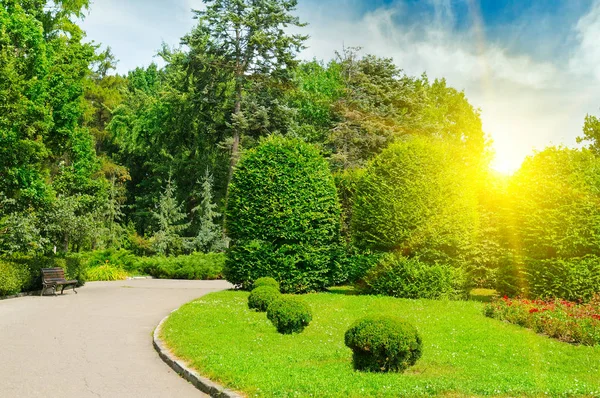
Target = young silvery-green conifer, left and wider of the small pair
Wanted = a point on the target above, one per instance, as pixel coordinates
(169, 216)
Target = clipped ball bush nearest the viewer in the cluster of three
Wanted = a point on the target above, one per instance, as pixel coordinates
(289, 315)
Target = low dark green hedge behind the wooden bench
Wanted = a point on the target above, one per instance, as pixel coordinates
(24, 273)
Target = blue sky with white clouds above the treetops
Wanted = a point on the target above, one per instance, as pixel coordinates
(531, 66)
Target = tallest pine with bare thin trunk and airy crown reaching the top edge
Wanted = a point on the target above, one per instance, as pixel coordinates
(247, 40)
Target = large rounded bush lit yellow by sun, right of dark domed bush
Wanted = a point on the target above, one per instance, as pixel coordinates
(417, 197)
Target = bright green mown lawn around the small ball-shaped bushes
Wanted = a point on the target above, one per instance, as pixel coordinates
(465, 353)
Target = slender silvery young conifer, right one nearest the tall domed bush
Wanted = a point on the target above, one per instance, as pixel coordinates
(210, 234)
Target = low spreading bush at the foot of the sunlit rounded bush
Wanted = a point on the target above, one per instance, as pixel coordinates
(398, 276)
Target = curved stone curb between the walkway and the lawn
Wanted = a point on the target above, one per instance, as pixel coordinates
(201, 383)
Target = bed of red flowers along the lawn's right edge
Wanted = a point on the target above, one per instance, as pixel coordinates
(563, 320)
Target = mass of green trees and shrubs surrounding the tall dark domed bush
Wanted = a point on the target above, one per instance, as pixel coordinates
(100, 168)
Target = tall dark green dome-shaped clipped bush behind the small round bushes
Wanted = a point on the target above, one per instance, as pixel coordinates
(283, 217)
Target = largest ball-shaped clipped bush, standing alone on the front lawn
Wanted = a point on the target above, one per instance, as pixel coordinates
(383, 344)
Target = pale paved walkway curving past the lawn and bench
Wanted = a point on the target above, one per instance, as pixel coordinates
(94, 344)
